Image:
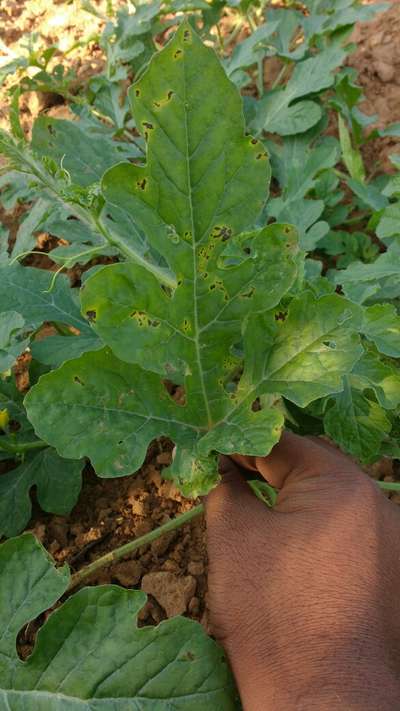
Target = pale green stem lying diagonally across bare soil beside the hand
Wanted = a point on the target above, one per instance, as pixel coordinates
(123, 550)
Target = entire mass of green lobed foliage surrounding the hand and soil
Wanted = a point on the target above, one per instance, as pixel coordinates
(260, 312)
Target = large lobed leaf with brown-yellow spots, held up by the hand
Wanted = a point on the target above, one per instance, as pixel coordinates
(204, 182)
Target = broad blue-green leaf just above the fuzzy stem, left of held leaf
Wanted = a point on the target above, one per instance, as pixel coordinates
(76, 148)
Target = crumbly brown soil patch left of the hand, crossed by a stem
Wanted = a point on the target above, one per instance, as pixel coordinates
(111, 512)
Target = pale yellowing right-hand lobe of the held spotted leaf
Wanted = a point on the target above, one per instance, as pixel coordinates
(313, 344)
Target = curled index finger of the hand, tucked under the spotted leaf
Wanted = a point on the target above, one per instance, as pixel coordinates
(300, 457)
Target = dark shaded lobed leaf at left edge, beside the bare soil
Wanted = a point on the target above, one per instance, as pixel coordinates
(58, 483)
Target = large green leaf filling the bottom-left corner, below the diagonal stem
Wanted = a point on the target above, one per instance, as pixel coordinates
(90, 654)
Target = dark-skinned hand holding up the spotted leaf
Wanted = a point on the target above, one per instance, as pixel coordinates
(305, 598)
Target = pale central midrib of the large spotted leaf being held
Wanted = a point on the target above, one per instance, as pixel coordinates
(194, 259)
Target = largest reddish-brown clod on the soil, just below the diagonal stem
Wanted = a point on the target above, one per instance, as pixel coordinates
(172, 592)
